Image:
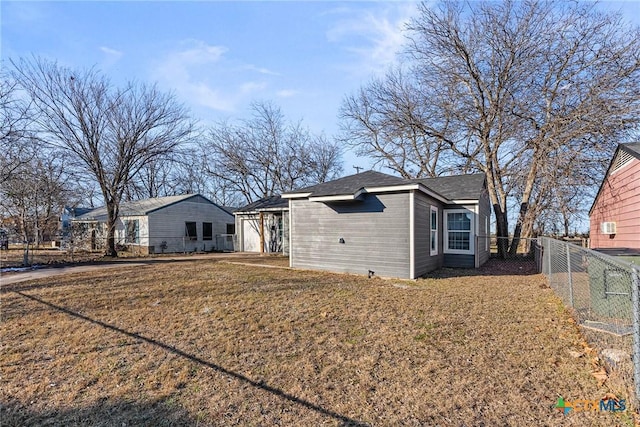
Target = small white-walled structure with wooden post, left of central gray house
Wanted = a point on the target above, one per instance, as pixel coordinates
(265, 220)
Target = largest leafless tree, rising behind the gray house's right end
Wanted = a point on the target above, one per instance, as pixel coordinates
(508, 85)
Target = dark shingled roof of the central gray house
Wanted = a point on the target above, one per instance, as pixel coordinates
(458, 187)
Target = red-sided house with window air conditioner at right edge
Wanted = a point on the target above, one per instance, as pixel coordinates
(615, 214)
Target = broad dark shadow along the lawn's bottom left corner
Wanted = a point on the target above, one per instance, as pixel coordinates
(161, 412)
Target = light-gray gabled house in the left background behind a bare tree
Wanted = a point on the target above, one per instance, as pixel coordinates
(184, 223)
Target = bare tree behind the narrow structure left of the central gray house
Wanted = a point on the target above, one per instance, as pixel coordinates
(265, 155)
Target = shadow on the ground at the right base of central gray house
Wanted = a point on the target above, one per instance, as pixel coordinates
(493, 267)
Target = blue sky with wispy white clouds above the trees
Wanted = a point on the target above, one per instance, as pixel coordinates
(218, 57)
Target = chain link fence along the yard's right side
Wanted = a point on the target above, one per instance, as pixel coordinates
(604, 293)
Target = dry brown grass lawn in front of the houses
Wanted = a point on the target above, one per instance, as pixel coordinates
(215, 343)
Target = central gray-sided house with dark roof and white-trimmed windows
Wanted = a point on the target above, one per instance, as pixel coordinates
(373, 223)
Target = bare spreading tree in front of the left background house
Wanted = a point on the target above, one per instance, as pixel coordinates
(111, 133)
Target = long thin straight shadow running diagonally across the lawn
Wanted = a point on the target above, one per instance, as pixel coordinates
(344, 420)
